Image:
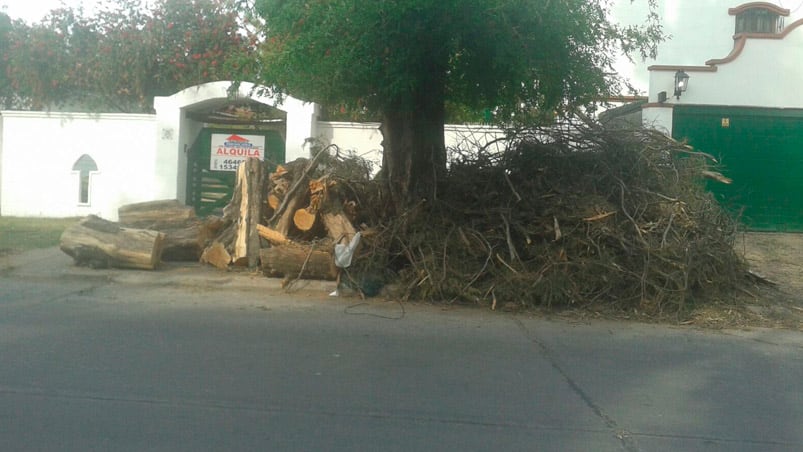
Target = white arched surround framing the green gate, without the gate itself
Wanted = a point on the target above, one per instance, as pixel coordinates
(182, 117)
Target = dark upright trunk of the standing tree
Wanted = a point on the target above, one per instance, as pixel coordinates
(414, 158)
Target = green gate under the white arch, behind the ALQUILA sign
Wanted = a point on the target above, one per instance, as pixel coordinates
(208, 190)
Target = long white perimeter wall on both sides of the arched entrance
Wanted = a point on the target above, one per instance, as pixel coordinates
(38, 151)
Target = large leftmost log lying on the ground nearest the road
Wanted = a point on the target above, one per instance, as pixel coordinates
(99, 243)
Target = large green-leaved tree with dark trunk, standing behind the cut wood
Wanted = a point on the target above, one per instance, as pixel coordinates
(404, 59)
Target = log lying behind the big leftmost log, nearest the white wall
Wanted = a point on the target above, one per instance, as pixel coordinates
(157, 215)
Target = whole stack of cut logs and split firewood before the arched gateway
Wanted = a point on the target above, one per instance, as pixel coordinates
(287, 222)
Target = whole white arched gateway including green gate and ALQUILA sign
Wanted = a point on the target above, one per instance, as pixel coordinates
(193, 121)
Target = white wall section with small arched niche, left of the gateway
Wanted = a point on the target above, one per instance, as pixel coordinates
(40, 149)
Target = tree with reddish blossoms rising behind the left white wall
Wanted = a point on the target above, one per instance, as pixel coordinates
(125, 54)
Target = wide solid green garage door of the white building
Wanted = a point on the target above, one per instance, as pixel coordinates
(761, 149)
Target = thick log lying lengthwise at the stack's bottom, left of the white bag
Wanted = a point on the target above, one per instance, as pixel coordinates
(290, 260)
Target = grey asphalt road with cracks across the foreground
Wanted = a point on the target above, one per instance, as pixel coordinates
(188, 359)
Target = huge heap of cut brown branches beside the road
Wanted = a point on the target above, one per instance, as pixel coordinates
(570, 215)
